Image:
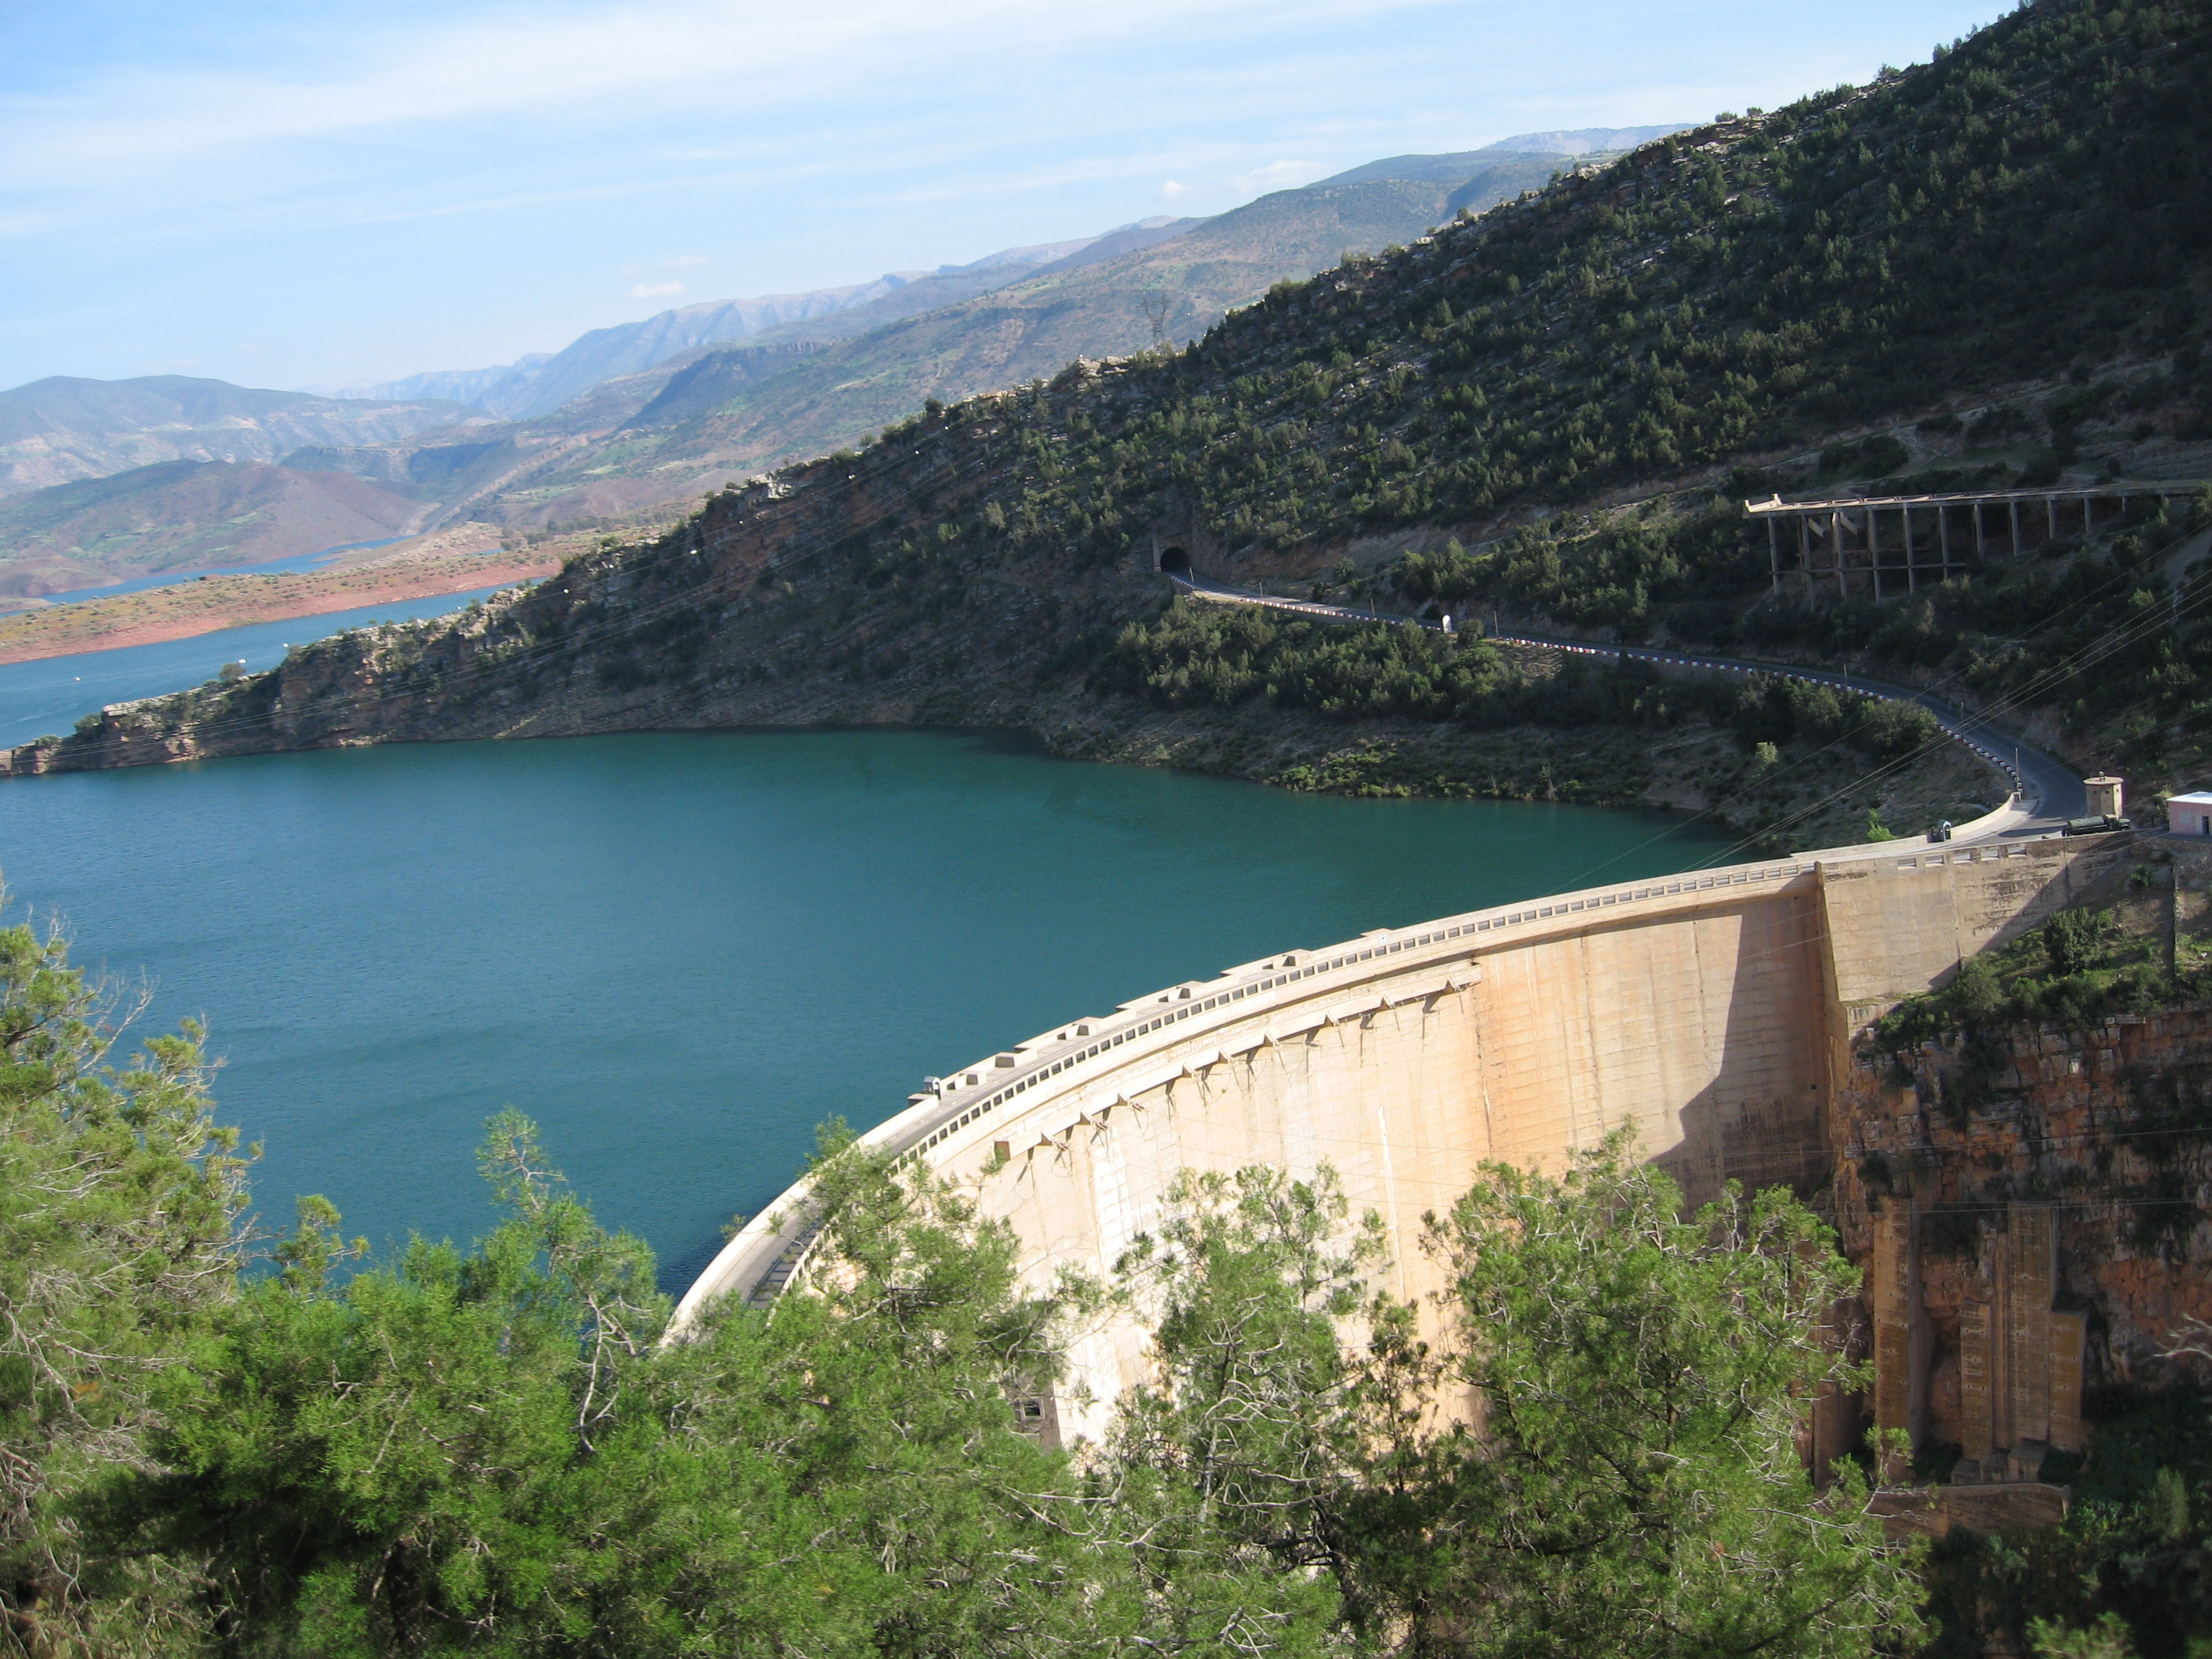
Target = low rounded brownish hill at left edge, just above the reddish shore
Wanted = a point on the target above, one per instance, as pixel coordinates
(187, 514)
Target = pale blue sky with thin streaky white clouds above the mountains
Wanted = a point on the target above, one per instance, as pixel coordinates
(289, 194)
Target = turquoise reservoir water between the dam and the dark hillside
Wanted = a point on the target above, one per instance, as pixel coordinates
(680, 952)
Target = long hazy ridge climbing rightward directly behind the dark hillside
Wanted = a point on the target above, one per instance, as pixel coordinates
(705, 410)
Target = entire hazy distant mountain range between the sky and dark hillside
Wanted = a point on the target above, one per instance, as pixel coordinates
(649, 415)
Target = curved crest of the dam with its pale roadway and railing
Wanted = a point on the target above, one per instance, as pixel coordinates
(1142, 1045)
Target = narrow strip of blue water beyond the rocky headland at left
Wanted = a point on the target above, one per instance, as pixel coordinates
(48, 696)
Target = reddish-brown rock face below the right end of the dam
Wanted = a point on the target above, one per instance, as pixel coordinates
(2041, 1244)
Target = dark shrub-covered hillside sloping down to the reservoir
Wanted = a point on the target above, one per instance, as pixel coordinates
(2005, 247)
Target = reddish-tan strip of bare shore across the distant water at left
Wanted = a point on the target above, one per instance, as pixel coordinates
(211, 605)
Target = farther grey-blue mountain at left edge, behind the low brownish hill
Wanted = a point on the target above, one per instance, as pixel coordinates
(61, 430)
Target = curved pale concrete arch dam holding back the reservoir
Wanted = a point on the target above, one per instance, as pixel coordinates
(1713, 1012)
